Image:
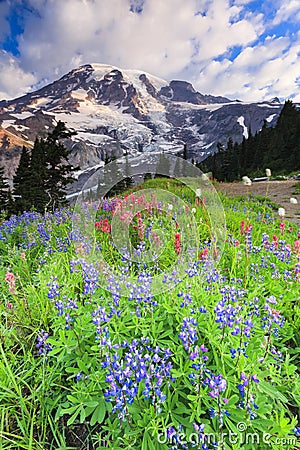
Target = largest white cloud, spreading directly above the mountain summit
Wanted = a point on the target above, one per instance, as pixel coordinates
(160, 40)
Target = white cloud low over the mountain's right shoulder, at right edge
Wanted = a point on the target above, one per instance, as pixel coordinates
(258, 73)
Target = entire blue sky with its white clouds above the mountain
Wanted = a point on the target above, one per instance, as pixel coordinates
(242, 49)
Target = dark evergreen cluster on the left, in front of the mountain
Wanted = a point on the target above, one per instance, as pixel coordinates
(41, 177)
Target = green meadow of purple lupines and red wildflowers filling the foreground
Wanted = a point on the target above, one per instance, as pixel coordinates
(127, 324)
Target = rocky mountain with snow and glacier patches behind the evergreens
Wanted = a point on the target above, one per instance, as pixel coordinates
(117, 112)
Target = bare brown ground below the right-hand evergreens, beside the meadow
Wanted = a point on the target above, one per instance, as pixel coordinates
(279, 192)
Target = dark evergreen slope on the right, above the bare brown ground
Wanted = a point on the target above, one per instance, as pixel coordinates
(277, 148)
